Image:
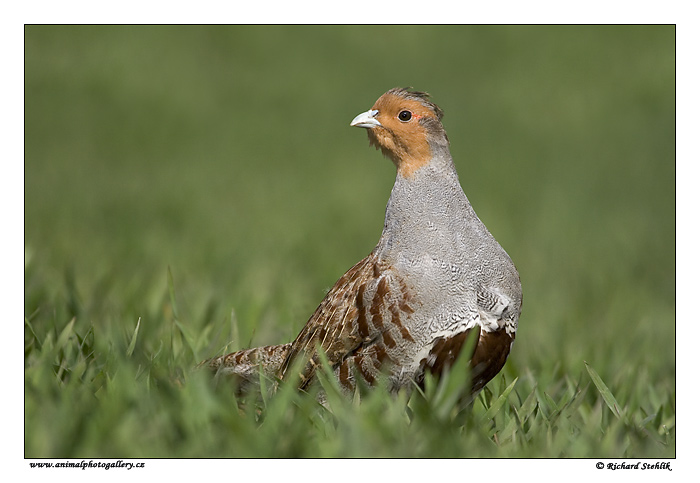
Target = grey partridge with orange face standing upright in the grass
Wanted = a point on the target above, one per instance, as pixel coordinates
(436, 276)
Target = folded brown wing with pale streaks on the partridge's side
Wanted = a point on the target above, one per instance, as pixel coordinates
(355, 314)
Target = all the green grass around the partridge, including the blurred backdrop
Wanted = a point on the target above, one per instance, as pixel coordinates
(193, 190)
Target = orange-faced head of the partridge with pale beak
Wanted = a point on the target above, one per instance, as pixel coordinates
(406, 126)
